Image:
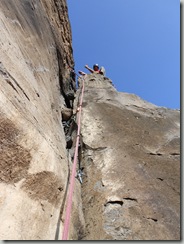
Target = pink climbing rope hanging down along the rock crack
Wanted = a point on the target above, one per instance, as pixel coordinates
(72, 179)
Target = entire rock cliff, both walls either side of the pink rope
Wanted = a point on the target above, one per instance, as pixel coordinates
(129, 149)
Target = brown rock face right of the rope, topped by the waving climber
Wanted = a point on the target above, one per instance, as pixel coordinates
(131, 154)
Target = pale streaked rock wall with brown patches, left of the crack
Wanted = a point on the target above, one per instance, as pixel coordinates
(35, 44)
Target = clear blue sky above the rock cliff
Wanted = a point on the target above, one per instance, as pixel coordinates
(137, 41)
